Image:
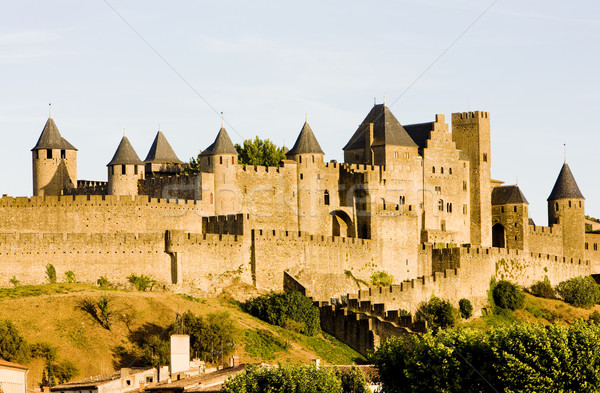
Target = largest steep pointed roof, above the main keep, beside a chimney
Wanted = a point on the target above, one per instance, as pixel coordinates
(387, 130)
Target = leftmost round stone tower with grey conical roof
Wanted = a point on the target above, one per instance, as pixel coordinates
(54, 163)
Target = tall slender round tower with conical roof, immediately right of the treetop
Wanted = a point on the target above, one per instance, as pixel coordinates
(309, 158)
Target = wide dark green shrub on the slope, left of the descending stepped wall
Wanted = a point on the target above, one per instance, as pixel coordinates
(278, 308)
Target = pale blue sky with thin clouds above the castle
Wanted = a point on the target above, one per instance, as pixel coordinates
(534, 65)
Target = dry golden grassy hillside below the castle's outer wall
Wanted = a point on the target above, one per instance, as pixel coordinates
(49, 313)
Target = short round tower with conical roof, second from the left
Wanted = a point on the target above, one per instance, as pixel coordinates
(124, 170)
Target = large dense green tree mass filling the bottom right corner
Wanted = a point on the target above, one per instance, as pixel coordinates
(511, 358)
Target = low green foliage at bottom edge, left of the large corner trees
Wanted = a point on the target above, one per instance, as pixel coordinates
(284, 379)
